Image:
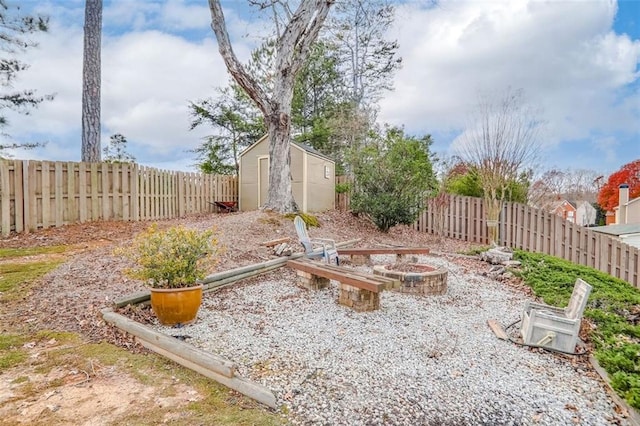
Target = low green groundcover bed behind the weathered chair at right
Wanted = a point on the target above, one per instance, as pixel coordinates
(612, 307)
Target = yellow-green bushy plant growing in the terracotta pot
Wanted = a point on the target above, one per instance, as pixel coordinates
(172, 258)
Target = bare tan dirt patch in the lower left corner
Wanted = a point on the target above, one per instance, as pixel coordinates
(57, 387)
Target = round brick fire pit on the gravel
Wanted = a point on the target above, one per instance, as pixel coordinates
(415, 278)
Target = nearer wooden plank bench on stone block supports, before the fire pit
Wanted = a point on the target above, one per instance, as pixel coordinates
(357, 290)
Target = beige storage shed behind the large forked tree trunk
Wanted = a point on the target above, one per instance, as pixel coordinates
(312, 174)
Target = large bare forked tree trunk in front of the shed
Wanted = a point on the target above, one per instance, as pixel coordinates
(292, 49)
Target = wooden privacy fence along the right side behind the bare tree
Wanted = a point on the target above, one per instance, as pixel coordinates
(532, 229)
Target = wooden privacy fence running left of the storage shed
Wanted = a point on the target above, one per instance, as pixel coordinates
(40, 194)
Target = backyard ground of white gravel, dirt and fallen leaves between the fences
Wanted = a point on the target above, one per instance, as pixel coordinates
(417, 360)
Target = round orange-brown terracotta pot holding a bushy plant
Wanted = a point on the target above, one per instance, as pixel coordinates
(175, 306)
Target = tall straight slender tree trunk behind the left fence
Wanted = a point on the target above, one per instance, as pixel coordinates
(91, 81)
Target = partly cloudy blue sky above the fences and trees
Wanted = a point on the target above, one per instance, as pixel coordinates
(576, 61)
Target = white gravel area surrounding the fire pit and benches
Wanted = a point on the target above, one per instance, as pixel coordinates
(417, 361)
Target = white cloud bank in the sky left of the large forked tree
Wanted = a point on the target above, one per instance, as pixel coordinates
(148, 78)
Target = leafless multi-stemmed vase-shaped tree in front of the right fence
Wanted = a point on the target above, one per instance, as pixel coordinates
(501, 142)
